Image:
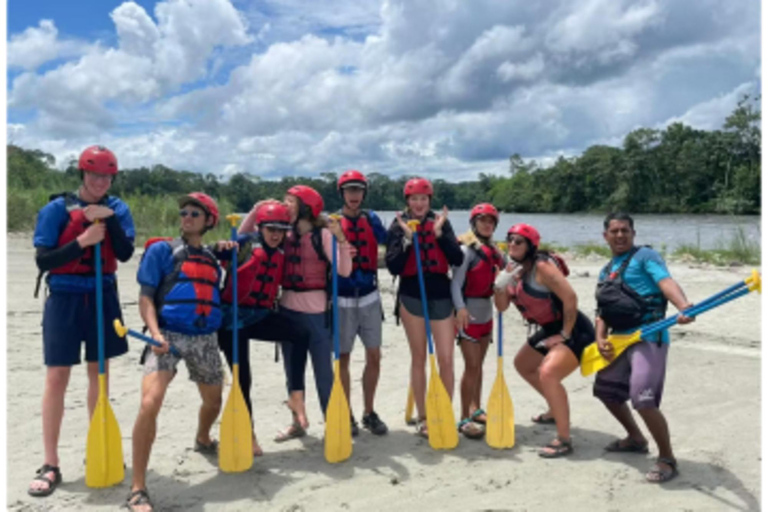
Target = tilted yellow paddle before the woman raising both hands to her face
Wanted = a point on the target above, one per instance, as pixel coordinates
(441, 423)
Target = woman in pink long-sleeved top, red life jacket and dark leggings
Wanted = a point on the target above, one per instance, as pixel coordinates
(304, 300)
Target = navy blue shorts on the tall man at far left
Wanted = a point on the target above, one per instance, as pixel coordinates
(70, 318)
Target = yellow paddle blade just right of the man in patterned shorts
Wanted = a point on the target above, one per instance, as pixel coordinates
(235, 443)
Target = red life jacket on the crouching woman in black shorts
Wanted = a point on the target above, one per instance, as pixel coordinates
(537, 306)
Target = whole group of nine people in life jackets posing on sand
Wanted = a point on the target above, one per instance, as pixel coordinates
(284, 269)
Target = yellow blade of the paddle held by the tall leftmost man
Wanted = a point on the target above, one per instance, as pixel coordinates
(104, 448)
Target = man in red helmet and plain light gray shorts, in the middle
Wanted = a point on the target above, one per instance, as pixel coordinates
(360, 309)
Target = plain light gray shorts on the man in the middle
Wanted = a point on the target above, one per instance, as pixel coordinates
(363, 320)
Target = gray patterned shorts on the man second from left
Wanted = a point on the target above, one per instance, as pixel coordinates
(200, 353)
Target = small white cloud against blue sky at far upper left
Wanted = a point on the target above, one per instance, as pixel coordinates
(38, 45)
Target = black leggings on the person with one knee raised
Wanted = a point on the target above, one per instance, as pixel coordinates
(273, 327)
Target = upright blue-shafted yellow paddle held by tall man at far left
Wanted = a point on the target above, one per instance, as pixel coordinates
(104, 448)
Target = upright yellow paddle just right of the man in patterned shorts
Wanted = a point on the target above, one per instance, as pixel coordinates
(236, 443)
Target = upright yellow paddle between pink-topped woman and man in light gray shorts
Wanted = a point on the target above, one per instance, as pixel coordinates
(338, 429)
